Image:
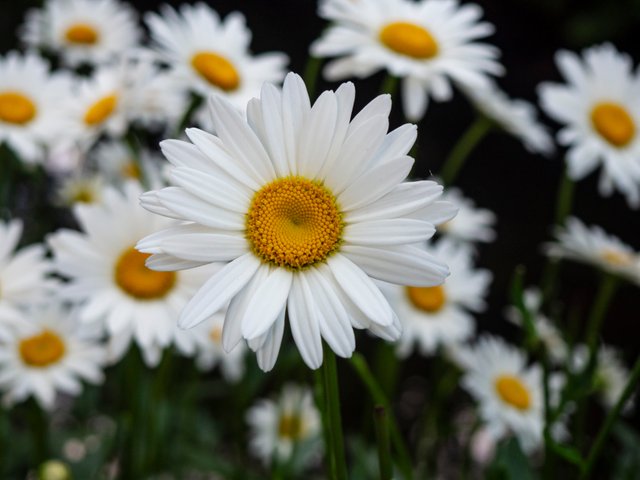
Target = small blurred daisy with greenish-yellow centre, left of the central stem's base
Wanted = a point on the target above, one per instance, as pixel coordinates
(279, 428)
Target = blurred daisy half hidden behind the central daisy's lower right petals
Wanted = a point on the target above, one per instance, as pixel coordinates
(439, 316)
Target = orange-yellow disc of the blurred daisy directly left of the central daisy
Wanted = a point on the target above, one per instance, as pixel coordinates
(135, 279)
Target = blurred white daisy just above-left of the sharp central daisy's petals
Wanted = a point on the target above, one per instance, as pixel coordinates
(209, 55)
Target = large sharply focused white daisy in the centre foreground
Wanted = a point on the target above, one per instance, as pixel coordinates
(305, 206)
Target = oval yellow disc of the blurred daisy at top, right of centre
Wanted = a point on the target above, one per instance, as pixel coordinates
(409, 39)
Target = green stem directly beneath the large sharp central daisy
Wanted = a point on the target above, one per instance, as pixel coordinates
(332, 406)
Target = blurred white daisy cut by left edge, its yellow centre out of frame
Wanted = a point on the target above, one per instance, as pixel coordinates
(23, 275)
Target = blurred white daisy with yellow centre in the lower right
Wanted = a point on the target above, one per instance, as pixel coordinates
(510, 394)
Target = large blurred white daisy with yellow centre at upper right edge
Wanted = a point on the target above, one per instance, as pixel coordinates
(599, 108)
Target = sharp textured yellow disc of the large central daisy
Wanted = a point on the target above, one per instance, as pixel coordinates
(294, 222)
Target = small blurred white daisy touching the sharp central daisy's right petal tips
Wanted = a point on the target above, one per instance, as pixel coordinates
(471, 224)
